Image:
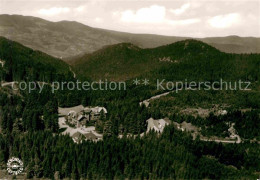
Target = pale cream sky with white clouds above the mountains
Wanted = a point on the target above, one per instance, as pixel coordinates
(189, 18)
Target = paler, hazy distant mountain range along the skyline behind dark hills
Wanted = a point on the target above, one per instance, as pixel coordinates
(66, 39)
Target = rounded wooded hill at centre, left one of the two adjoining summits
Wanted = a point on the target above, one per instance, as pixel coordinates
(115, 62)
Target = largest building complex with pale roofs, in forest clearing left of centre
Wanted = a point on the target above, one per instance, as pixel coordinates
(80, 115)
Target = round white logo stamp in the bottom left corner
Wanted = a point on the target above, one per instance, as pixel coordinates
(14, 166)
